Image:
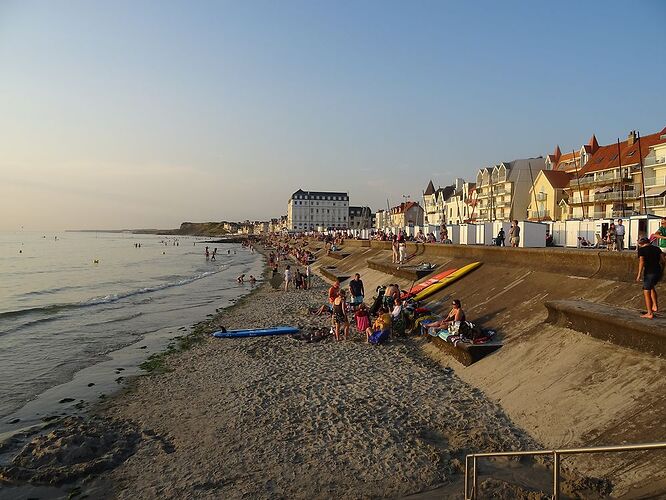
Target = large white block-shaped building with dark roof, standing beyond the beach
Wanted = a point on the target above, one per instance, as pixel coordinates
(309, 210)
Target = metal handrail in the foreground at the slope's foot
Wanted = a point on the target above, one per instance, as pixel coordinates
(556, 454)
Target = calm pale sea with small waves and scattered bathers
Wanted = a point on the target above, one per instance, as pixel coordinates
(80, 311)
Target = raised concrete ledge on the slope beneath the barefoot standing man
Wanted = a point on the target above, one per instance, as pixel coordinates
(617, 325)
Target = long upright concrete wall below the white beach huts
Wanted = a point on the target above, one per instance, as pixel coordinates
(602, 264)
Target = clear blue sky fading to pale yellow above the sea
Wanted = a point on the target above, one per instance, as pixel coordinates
(131, 114)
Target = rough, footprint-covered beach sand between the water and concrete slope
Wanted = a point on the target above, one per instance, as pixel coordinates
(274, 417)
